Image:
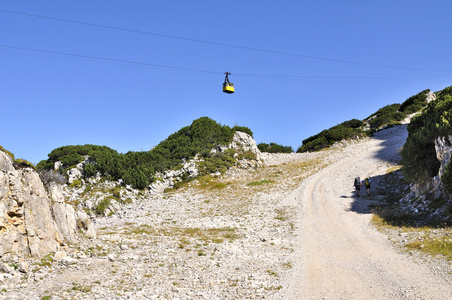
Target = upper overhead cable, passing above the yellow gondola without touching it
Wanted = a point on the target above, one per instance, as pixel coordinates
(217, 43)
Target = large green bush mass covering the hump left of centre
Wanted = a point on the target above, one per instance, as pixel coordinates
(138, 168)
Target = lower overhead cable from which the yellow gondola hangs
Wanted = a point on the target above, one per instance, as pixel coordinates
(208, 71)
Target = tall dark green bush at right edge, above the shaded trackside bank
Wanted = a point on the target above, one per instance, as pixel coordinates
(418, 153)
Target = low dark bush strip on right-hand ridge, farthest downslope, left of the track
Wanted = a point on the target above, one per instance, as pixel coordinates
(345, 130)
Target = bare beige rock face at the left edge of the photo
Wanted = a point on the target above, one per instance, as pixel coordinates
(30, 222)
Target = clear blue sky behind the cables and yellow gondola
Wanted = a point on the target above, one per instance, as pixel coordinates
(298, 67)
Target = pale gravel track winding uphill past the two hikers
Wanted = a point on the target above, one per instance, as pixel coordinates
(339, 254)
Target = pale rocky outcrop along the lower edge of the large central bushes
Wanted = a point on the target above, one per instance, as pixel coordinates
(102, 197)
